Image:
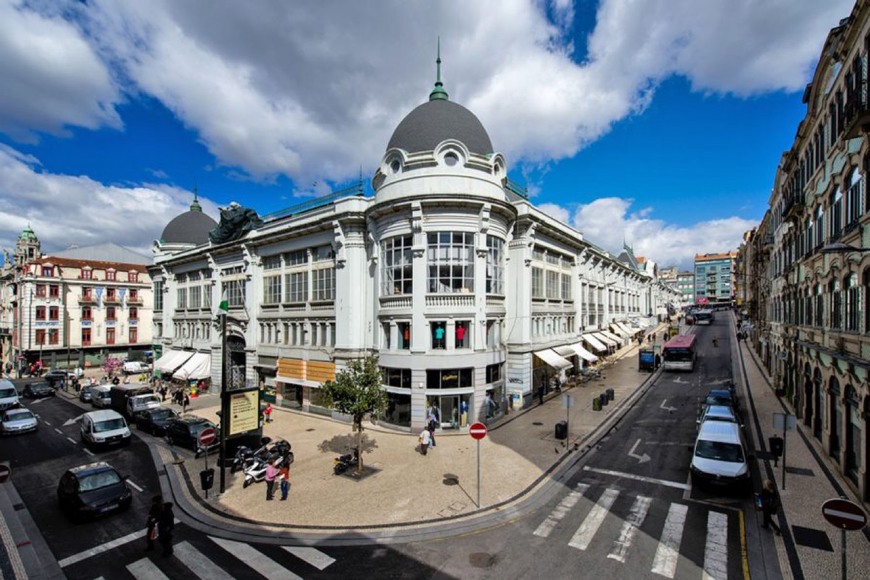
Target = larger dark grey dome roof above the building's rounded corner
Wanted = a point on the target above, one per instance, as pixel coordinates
(436, 120)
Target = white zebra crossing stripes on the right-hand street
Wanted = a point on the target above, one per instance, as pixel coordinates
(670, 534)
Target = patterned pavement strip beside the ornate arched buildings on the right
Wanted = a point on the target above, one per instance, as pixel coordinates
(809, 546)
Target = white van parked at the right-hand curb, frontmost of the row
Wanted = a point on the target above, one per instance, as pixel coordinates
(720, 456)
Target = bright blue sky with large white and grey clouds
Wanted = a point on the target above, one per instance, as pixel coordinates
(657, 123)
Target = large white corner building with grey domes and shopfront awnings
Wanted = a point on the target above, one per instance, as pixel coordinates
(471, 297)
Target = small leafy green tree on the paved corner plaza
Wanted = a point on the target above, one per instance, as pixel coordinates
(357, 391)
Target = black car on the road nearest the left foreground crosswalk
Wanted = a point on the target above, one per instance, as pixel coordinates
(93, 490)
